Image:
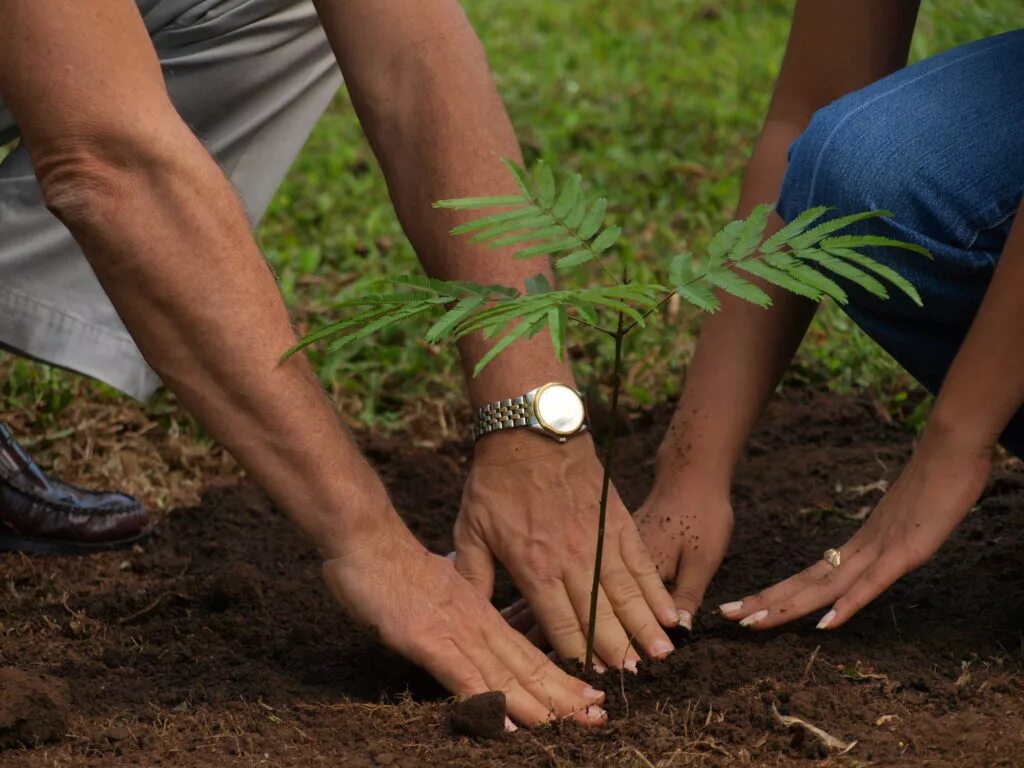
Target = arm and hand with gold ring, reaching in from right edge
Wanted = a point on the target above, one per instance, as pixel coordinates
(945, 478)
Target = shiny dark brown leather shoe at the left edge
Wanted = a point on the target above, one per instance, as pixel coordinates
(47, 517)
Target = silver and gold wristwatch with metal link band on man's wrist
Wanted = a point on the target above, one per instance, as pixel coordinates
(553, 410)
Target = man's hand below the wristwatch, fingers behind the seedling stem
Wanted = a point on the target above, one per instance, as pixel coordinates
(534, 505)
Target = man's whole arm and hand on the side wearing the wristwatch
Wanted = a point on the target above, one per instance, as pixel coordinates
(420, 82)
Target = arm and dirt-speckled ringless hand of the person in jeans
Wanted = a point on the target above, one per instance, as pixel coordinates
(835, 48)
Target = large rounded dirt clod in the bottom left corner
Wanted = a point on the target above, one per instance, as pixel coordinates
(33, 709)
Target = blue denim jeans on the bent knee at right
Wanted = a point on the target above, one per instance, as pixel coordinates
(942, 145)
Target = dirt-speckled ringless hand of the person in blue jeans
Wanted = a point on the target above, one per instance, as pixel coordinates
(688, 532)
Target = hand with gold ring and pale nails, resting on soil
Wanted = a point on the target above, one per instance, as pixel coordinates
(943, 482)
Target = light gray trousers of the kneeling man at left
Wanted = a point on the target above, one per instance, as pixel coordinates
(251, 78)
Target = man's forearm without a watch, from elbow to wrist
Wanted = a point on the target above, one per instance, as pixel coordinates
(173, 248)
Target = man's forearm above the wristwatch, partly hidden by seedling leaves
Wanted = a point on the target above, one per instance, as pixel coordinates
(439, 127)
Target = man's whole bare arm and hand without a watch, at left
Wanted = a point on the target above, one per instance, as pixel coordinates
(170, 244)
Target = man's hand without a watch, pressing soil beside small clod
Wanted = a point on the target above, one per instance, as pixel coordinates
(422, 609)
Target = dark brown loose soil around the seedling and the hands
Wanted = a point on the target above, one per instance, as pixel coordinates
(217, 645)
